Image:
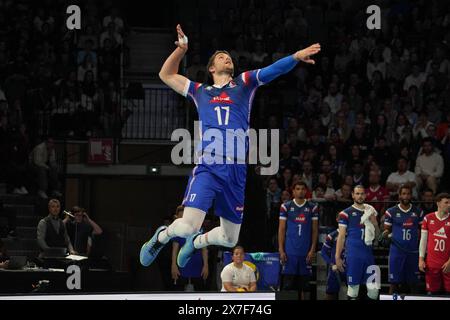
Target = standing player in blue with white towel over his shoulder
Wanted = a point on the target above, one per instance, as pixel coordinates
(358, 227)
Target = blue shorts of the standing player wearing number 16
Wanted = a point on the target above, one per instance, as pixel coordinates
(403, 267)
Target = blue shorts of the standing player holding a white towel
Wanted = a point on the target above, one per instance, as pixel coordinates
(356, 267)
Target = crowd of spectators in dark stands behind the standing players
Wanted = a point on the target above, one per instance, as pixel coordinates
(373, 110)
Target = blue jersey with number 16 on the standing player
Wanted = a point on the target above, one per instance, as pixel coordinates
(405, 227)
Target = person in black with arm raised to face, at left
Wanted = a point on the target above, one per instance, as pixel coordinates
(82, 230)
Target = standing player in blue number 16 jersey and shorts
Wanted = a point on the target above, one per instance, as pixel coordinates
(402, 226)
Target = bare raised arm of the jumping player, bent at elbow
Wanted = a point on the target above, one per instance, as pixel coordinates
(169, 71)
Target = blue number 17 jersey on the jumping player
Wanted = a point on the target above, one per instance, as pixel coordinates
(224, 114)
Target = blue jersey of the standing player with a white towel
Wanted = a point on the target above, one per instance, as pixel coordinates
(350, 218)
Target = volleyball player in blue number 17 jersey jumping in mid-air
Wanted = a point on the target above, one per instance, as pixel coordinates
(224, 105)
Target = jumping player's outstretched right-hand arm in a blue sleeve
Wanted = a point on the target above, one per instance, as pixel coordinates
(288, 63)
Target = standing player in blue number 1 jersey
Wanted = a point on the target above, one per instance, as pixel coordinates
(298, 230)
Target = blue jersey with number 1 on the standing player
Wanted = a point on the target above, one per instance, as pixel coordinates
(299, 221)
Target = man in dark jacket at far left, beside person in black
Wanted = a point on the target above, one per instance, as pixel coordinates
(52, 232)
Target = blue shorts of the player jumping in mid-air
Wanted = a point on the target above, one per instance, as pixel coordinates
(224, 183)
